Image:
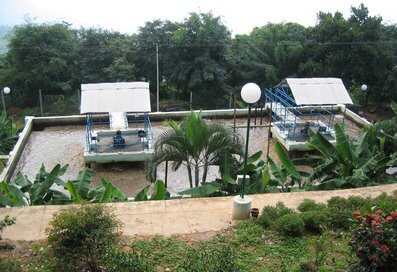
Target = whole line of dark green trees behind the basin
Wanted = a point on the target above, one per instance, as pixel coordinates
(199, 55)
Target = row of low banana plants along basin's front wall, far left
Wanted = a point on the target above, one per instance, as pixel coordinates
(23, 192)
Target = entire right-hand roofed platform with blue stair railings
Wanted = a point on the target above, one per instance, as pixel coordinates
(300, 104)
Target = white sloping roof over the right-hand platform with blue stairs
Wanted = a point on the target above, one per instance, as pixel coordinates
(317, 91)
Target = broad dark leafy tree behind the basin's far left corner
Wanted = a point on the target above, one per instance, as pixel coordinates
(39, 57)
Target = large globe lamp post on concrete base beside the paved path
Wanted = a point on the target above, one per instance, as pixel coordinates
(250, 93)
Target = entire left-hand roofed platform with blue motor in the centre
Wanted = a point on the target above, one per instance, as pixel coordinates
(129, 137)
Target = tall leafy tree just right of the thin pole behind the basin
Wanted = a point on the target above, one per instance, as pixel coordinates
(200, 56)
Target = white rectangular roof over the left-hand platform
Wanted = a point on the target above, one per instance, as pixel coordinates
(115, 97)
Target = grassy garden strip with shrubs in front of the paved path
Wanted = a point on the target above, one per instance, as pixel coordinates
(245, 247)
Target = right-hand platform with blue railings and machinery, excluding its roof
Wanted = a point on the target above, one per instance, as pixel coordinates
(292, 122)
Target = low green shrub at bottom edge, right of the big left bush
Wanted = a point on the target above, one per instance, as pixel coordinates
(119, 261)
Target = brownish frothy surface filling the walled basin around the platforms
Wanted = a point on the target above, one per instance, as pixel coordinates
(65, 145)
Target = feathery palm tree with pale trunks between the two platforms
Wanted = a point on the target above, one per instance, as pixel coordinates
(194, 144)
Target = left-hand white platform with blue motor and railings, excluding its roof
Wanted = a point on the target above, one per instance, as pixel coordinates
(130, 142)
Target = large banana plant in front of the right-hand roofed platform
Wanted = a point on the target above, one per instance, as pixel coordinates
(348, 164)
